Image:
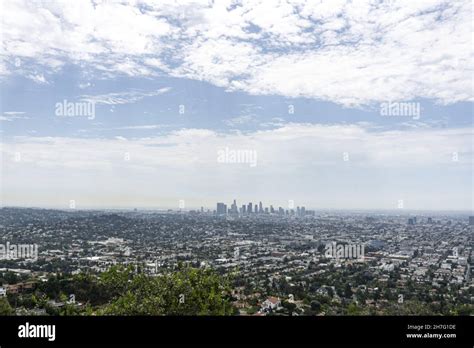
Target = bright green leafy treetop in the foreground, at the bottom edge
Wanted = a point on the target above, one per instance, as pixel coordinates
(187, 291)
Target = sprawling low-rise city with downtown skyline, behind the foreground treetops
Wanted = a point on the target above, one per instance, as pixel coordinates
(281, 261)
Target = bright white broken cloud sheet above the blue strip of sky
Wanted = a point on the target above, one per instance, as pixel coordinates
(352, 53)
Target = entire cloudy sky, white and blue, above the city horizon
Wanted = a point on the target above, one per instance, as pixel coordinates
(301, 84)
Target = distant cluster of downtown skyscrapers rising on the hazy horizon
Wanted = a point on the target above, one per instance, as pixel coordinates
(250, 209)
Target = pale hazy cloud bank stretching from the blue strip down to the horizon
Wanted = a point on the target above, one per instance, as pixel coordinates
(294, 160)
